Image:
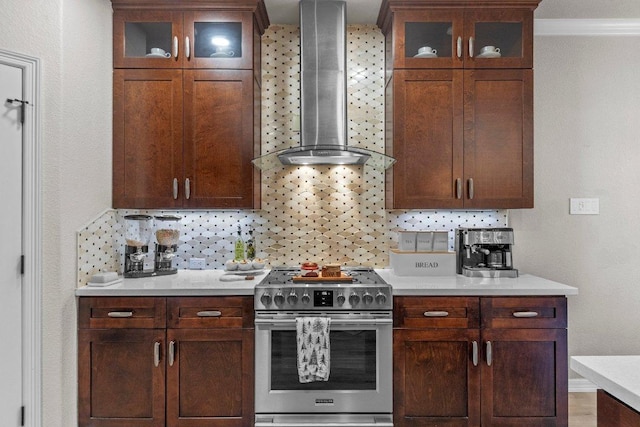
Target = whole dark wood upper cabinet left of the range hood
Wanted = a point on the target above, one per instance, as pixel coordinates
(187, 116)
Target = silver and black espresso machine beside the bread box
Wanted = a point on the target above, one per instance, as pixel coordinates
(484, 252)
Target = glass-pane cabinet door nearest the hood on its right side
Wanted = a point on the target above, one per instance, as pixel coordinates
(427, 39)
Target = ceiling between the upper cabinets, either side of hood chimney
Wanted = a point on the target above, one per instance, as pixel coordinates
(358, 11)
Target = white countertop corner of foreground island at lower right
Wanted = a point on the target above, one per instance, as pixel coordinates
(617, 375)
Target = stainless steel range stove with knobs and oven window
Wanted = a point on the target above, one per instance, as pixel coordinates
(359, 388)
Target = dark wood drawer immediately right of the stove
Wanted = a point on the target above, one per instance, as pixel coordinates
(436, 312)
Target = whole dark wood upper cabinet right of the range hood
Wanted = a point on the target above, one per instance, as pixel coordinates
(459, 122)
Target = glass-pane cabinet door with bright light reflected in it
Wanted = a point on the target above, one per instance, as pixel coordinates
(219, 40)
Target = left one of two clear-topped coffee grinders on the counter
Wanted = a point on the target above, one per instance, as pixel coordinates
(137, 235)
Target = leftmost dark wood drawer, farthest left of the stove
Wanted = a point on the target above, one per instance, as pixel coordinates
(121, 312)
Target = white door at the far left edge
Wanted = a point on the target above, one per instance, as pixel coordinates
(10, 245)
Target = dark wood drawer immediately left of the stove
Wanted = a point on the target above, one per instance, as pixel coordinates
(210, 312)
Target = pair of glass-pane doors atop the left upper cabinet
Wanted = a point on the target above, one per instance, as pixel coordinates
(192, 39)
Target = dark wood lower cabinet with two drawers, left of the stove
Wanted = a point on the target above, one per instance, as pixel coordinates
(175, 362)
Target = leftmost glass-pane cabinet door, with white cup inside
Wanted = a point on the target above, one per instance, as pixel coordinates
(148, 39)
